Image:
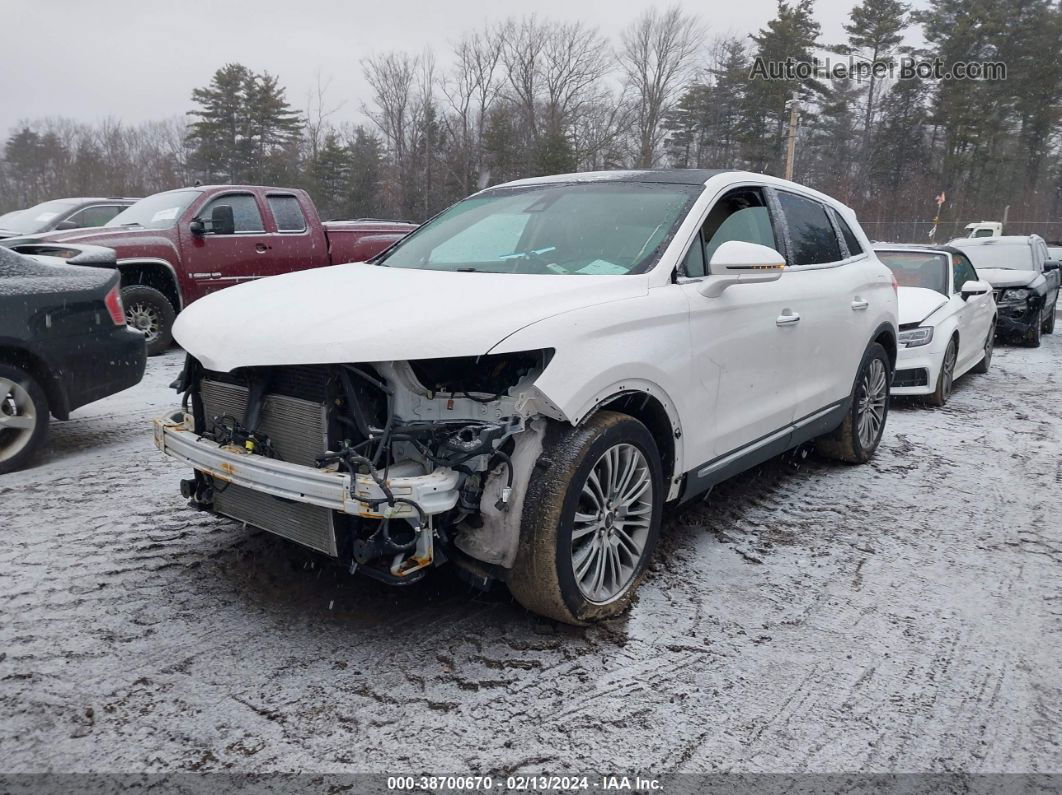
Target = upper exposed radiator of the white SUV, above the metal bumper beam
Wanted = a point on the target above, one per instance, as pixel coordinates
(299, 429)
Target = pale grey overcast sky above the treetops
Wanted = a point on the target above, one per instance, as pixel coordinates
(140, 60)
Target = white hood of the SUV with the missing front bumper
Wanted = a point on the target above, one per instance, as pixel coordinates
(369, 314)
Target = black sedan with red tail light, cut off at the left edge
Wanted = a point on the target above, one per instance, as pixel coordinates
(63, 343)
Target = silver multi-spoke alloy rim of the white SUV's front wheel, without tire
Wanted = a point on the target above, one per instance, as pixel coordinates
(612, 522)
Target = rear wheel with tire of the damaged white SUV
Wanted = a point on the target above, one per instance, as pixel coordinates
(857, 439)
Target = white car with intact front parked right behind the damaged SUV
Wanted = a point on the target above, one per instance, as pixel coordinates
(948, 319)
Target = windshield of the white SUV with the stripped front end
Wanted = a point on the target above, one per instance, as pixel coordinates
(589, 230)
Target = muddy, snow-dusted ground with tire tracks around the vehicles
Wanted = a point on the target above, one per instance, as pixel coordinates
(901, 616)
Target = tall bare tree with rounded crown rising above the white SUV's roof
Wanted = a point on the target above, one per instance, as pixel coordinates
(657, 56)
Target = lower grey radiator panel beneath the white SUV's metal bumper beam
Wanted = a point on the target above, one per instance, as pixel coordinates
(307, 525)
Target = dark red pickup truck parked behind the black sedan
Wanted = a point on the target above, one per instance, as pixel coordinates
(177, 247)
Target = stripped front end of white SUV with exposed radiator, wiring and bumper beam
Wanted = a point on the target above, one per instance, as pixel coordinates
(390, 468)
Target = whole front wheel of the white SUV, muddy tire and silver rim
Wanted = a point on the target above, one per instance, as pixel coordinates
(591, 522)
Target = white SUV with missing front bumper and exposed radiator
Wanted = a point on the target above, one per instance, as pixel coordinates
(522, 384)
